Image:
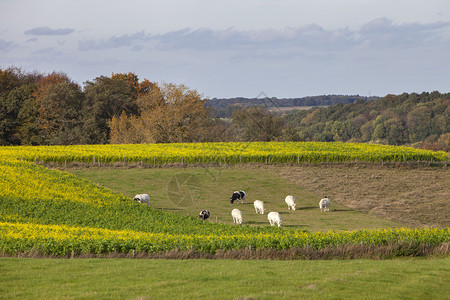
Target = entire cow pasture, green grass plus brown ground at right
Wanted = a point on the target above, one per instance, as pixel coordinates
(363, 196)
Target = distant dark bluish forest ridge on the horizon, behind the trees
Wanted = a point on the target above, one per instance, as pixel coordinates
(224, 107)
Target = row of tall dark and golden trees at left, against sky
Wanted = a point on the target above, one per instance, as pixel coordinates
(50, 109)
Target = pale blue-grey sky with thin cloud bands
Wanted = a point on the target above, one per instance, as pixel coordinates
(237, 48)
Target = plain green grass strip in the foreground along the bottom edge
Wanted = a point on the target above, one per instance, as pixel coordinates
(224, 279)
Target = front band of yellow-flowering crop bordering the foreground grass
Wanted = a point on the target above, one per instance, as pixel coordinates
(64, 240)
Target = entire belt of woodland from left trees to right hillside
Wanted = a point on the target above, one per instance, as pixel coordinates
(50, 109)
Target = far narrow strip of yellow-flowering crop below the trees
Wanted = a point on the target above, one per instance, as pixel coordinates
(263, 152)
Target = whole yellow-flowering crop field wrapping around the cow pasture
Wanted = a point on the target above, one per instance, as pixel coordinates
(56, 213)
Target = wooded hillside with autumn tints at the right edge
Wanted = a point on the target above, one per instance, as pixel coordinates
(422, 120)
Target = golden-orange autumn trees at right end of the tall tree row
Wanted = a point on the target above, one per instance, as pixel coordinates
(168, 113)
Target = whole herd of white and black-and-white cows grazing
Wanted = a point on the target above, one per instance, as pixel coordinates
(273, 217)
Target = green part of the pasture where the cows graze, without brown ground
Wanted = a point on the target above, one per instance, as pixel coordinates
(211, 188)
